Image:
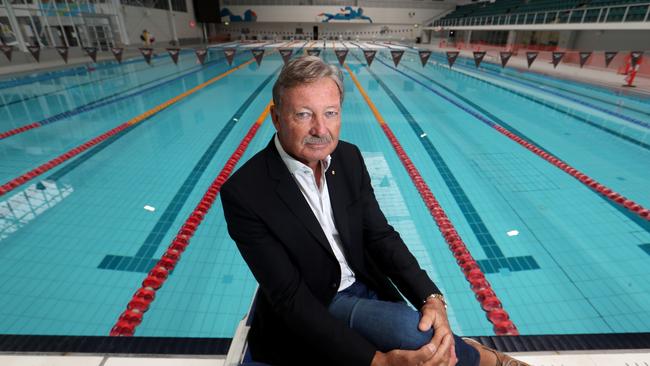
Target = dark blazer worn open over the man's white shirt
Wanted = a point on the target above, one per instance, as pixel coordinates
(283, 244)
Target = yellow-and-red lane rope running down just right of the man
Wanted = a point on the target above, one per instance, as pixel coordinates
(479, 284)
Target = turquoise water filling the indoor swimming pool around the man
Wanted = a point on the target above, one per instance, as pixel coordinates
(577, 265)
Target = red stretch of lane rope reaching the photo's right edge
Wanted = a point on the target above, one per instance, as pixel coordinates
(610, 194)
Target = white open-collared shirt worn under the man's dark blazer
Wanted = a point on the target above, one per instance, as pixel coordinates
(319, 202)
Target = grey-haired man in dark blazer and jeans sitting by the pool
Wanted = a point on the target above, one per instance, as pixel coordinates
(331, 269)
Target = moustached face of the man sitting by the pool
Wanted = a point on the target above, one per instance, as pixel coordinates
(309, 120)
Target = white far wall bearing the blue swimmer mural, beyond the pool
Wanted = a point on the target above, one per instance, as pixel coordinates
(310, 13)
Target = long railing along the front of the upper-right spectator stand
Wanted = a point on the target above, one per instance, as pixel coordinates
(605, 14)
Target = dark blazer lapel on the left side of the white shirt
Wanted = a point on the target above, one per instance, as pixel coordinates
(289, 192)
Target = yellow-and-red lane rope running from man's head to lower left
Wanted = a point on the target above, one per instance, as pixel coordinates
(145, 295)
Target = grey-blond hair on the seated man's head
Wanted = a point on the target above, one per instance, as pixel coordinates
(305, 70)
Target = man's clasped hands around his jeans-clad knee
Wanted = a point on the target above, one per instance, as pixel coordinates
(439, 352)
